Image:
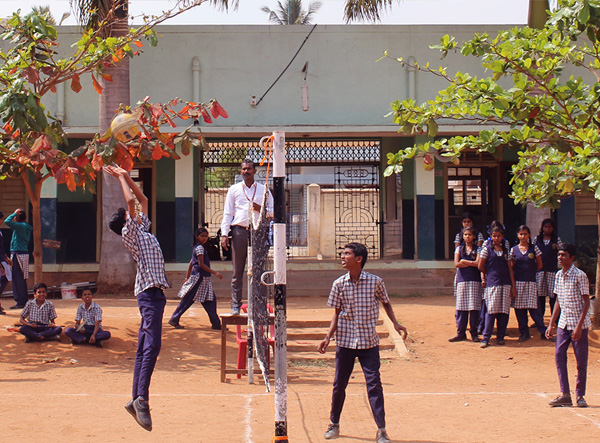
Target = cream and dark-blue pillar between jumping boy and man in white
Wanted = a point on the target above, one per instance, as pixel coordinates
(184, 207)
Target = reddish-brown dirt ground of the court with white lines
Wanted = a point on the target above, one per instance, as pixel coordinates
(441, 392)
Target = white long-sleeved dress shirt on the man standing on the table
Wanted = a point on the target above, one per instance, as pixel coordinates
(238, 203)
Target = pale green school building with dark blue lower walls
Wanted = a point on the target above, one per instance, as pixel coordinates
(331, 103)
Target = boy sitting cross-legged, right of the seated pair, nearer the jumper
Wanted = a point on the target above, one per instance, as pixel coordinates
(88, 323)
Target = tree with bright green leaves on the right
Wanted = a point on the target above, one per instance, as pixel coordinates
(536, 101)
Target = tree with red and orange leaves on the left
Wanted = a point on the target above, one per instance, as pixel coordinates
(33, 145)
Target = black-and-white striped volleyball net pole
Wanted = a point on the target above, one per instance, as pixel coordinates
(279, 268)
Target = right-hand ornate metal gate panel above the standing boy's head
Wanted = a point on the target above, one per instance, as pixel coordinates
(357, 207)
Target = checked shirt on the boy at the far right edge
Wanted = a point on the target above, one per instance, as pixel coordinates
(569, 288)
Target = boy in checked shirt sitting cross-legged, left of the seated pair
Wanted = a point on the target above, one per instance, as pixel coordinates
(38, 317)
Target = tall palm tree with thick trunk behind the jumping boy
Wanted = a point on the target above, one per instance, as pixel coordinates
(116, 264)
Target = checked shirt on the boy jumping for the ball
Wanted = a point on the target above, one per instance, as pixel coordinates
(146, 252)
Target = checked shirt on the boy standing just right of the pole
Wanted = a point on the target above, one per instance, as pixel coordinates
(359, 309)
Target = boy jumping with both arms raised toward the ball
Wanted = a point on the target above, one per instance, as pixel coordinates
(150, 281)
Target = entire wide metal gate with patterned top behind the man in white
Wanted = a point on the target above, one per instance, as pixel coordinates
(356, 194)
